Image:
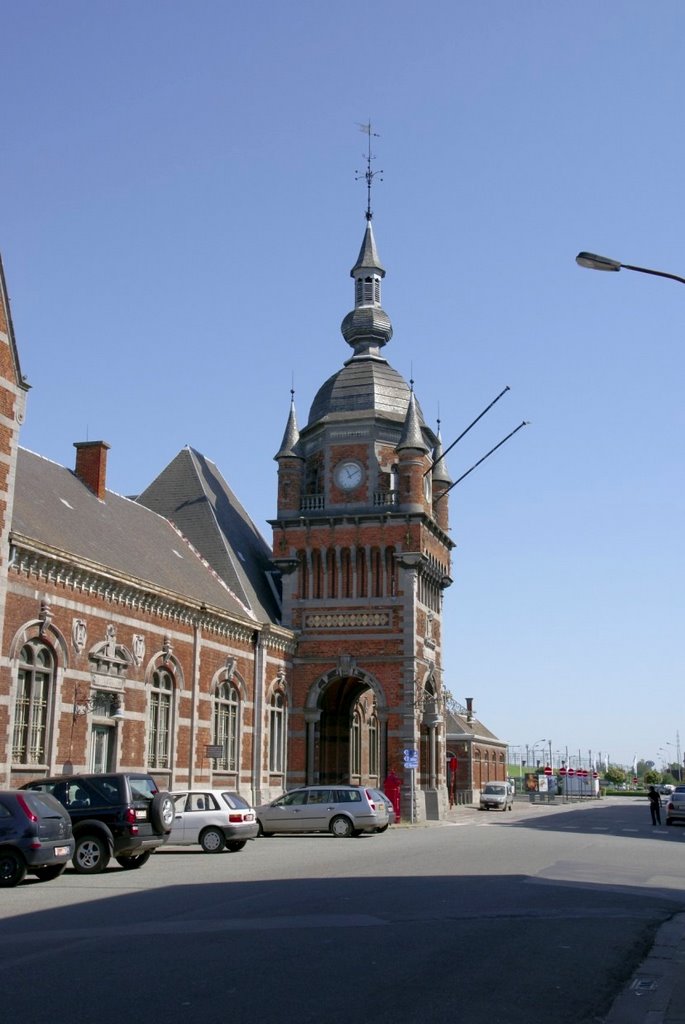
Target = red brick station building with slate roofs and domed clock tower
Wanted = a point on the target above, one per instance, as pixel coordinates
(162, 633)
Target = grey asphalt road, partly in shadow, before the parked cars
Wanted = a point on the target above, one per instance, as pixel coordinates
(534, 917)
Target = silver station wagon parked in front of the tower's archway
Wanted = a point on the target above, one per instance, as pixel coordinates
(341, 810)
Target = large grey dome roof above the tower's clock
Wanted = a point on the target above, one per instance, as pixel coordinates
(364, 386)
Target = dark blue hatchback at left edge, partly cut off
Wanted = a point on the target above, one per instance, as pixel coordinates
(35, 837)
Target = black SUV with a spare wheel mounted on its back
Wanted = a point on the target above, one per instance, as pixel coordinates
(122, 815)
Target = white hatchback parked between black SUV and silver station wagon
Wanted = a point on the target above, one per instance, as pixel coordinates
(215, 819)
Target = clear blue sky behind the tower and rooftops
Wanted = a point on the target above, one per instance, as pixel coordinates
(179, 218)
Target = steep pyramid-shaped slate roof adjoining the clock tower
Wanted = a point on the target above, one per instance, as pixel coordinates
(193, 494)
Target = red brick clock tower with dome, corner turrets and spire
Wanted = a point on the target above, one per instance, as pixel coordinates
(362, 539)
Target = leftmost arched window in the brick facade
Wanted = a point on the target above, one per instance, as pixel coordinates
(34, 694)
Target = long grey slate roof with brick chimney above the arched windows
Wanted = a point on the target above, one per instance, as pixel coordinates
(54, 510)
